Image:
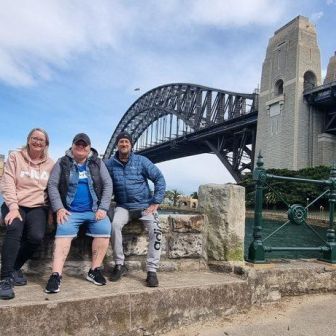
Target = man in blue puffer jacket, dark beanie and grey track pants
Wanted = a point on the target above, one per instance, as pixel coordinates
(130, 174)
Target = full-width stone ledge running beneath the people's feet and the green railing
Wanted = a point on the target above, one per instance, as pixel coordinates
(129, 308)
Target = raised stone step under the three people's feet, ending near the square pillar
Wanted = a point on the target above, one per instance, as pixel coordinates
(126, 307)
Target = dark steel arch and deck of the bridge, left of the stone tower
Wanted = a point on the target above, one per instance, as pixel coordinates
(178, 120)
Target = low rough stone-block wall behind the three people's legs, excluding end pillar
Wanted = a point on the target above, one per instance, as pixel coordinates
(183, 246)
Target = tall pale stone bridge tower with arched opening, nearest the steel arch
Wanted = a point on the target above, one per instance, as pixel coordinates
(287, 131)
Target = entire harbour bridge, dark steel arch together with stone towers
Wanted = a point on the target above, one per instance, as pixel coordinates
(291, 120)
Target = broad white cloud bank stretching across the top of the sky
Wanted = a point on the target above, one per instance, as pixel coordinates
(39, 36)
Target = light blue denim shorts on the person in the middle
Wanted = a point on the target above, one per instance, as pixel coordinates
(94, 228)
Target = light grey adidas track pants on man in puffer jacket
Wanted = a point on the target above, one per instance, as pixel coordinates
(151, 222)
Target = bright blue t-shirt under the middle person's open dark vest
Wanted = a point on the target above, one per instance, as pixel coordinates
(83, 199)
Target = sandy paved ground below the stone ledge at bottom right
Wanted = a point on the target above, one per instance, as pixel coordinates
(307, 315)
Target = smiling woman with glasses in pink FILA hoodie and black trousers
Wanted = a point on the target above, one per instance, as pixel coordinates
(25, 210)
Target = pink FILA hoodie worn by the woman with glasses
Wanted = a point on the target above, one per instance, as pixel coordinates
(24, 182)
